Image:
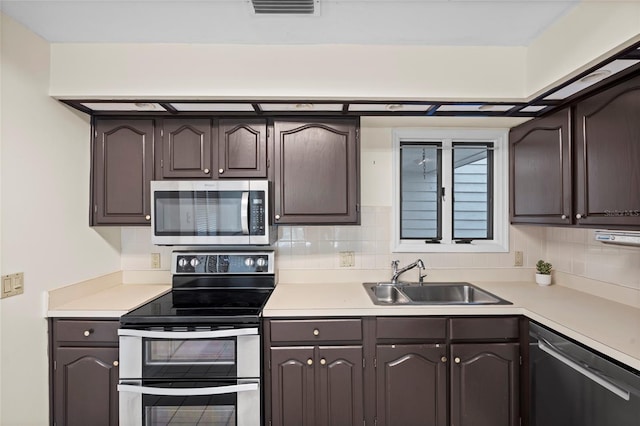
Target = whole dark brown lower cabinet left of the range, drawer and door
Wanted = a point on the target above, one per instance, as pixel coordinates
(84, 372)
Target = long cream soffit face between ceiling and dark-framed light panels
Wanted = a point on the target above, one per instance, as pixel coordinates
(315, 71)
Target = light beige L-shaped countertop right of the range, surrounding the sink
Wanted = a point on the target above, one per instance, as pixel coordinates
(606, 326)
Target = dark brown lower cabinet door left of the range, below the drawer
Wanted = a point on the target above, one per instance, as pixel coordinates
(85, 386)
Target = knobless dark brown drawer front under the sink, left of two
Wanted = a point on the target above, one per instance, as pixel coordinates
(422, 328)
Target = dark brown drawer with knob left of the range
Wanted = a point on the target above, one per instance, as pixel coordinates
(81, 331)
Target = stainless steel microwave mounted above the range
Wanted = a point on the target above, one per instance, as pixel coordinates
(188, 213)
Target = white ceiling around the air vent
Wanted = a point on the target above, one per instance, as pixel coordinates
(425, 22)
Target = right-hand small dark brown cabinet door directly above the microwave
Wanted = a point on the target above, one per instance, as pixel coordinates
(242, 149)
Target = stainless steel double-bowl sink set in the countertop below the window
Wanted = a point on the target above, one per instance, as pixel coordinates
(441, 293)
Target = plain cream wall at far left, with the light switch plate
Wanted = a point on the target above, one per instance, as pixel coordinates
(44, 182)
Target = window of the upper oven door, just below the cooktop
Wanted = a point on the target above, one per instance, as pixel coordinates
(190, 359)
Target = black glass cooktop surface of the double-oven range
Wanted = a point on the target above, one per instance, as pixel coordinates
(201, 307)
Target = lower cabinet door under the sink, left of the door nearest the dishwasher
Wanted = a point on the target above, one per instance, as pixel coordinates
(411, 385)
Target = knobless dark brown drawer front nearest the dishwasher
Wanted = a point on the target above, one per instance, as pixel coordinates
(479, 328)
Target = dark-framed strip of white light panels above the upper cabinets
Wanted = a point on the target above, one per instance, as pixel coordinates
(617, 67)
